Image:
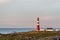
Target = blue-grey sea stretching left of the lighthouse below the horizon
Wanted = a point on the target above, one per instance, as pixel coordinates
(12, 30)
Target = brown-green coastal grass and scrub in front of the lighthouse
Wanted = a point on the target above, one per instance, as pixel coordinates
(31, 35)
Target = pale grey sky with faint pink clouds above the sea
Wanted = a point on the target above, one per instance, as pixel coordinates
(23, 13)
